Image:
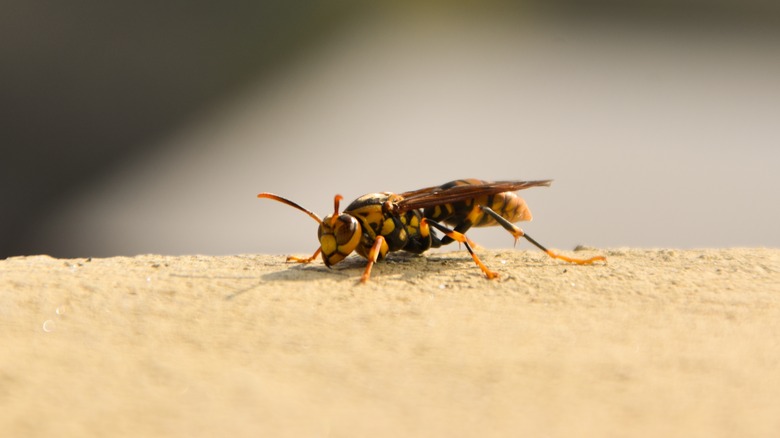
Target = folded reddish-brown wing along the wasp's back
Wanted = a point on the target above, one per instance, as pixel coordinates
(432, 196)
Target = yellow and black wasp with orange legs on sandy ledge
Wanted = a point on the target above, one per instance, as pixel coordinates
(376, 224)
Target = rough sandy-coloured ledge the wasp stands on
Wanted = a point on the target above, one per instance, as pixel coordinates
(656, 343)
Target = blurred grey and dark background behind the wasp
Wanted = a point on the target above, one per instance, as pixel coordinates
(133, 127)
